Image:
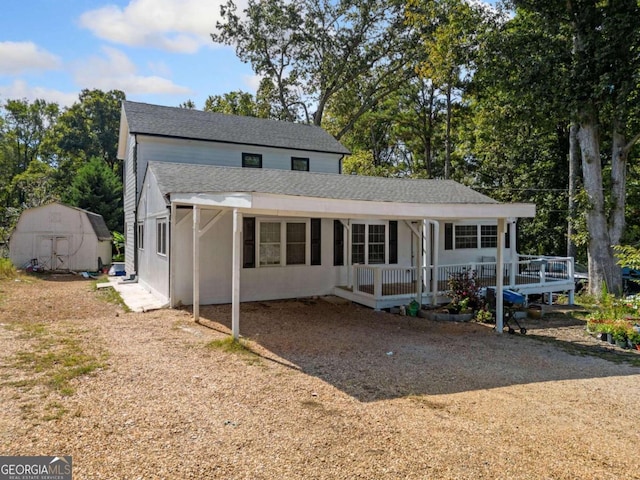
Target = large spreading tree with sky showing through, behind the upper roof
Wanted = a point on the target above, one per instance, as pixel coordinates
(312, 49)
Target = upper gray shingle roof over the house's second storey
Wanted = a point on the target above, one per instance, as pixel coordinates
(144, 118)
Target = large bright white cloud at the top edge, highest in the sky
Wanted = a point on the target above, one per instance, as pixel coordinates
(181, 26)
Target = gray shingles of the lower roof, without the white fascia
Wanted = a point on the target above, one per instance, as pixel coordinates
(190, 178)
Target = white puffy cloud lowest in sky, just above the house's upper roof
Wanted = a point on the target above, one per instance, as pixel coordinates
(115, 70)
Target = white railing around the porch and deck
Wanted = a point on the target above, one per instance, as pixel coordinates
(383, 281)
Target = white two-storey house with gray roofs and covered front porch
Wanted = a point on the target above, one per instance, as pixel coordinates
(228, 209)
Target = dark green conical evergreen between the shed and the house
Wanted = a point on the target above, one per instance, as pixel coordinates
(97, 188)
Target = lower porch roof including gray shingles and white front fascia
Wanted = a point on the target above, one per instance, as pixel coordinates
(324, 194)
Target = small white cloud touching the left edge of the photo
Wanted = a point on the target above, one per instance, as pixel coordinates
(20, 57)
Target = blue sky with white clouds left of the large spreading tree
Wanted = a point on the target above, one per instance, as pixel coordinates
(156, 51)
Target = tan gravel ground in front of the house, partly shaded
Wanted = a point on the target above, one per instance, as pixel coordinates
(328, 391)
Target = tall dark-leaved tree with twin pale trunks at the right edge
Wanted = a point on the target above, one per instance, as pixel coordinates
(604, 38)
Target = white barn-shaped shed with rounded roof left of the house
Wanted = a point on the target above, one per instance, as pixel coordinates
(60, 237)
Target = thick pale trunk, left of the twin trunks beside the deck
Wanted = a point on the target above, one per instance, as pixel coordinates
(602, 265)
